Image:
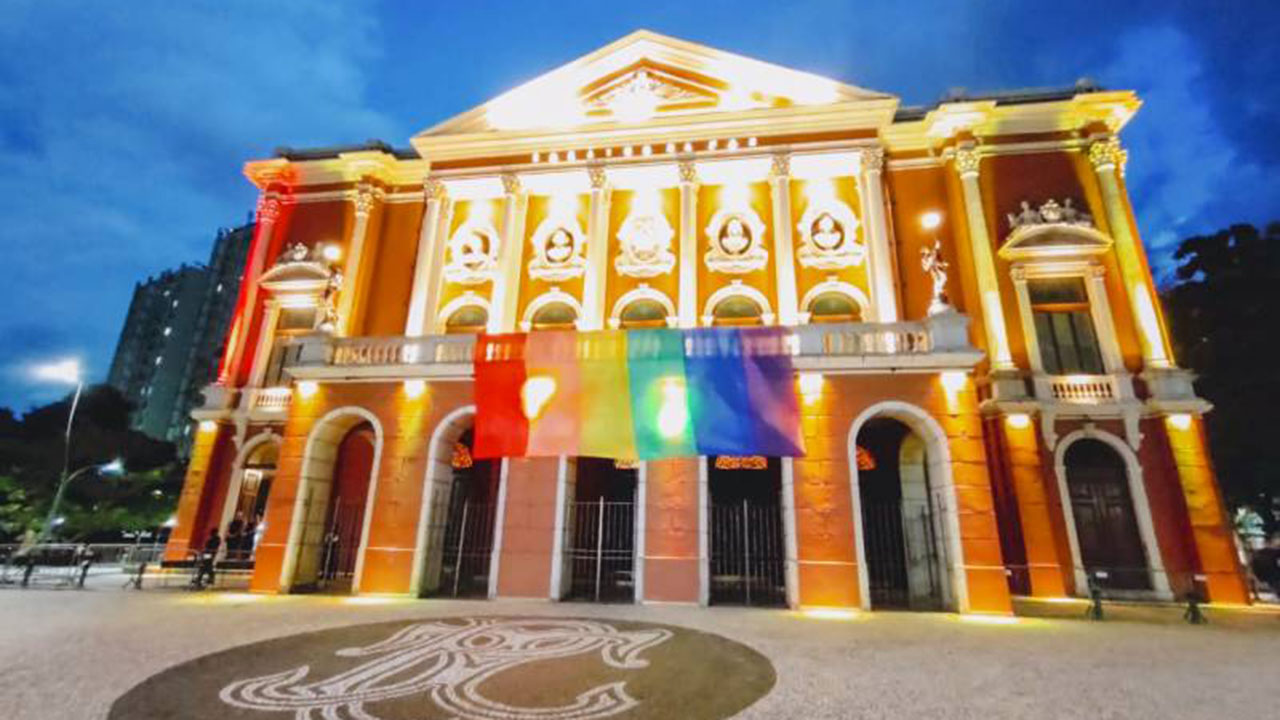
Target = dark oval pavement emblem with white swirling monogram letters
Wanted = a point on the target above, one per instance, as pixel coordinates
(464, 669)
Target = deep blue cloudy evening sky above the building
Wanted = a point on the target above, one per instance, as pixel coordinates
(124, 126)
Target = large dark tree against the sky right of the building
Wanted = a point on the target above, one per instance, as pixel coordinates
(1223, 315)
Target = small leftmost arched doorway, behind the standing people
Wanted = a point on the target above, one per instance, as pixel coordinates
(246, 508)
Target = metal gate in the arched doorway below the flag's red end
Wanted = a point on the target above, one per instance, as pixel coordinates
(468, 549)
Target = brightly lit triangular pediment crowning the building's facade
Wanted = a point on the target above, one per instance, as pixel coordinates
(648, 78)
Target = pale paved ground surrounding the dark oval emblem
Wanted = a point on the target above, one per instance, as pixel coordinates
(70, 654)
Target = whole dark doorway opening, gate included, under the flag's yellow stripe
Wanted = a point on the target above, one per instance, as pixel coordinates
(601, 531)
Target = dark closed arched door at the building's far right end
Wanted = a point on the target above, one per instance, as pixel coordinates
(1107, 527)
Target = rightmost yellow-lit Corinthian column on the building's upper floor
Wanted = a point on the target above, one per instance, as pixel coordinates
(1108, 157)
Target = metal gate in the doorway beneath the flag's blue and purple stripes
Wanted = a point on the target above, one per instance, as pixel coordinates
(748, 560)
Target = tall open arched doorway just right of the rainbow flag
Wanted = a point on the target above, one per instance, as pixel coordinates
(903, 534)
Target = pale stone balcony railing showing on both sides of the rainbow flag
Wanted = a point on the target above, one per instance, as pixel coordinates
(938, 343)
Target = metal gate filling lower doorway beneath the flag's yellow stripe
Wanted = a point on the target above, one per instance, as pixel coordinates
(601, 552)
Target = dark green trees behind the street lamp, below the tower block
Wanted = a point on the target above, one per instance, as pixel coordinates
(95, 507)
